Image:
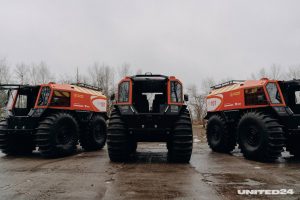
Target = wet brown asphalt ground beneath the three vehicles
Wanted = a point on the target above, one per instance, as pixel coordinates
(90, 175)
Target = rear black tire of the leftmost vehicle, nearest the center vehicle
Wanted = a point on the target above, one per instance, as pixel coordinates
(93, 137)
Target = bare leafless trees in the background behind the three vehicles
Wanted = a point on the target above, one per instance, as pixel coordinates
(105, 76)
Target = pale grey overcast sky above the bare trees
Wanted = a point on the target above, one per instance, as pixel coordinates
(189, 39)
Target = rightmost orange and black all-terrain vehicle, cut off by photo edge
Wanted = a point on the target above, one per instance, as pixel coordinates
(262, 116)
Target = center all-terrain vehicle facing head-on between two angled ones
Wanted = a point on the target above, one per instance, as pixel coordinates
(150, 108)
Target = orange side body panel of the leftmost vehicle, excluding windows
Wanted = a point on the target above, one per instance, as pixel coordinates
(81, 98)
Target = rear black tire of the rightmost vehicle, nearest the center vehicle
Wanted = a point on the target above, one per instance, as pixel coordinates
(219, 137)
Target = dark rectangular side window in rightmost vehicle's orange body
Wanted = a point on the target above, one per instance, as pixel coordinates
(255, 96)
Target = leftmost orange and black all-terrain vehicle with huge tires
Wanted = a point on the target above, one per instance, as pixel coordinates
(53, 117)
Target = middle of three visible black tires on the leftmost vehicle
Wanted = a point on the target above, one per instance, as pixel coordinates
(57, 135)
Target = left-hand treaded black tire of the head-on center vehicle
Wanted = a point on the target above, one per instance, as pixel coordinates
(118, 141)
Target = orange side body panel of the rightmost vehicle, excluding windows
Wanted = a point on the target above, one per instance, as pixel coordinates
(232, 97)
